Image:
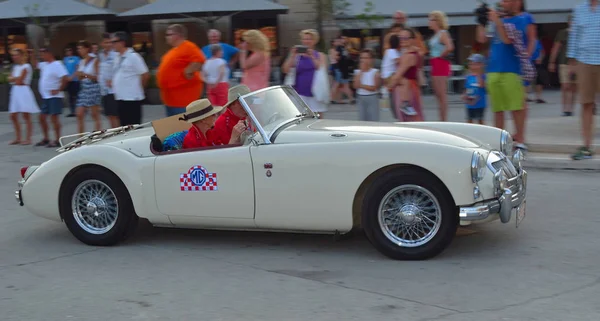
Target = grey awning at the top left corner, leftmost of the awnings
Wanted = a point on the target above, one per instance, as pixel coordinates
(50, 11)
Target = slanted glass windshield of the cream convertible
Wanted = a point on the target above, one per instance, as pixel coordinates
(274, 106)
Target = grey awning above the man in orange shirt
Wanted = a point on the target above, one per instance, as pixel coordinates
(175, 9)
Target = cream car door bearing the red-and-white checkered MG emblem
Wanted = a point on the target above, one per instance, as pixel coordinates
(212, 182)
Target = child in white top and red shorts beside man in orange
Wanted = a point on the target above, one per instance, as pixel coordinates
(216, 76)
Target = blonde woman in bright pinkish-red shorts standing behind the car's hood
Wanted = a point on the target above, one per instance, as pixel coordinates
(441, 46)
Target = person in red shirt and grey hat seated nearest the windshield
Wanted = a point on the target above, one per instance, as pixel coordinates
(233, 116)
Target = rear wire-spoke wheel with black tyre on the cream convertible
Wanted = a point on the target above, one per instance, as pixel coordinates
(97, 208)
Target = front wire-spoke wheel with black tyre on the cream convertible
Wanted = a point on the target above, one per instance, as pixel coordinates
(409, 215)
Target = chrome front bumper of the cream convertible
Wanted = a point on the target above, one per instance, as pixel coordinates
(513, 196)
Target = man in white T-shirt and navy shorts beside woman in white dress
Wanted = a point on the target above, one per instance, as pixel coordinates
(54, 78)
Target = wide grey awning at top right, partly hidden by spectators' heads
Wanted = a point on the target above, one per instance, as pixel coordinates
(460, 13)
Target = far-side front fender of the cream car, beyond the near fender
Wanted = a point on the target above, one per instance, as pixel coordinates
(488, 136)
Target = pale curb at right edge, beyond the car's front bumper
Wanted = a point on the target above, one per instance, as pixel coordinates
(560, 162)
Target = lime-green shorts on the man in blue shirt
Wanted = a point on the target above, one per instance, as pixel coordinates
(506, 91)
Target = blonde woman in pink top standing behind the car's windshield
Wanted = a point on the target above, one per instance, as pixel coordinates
(256, 67)
